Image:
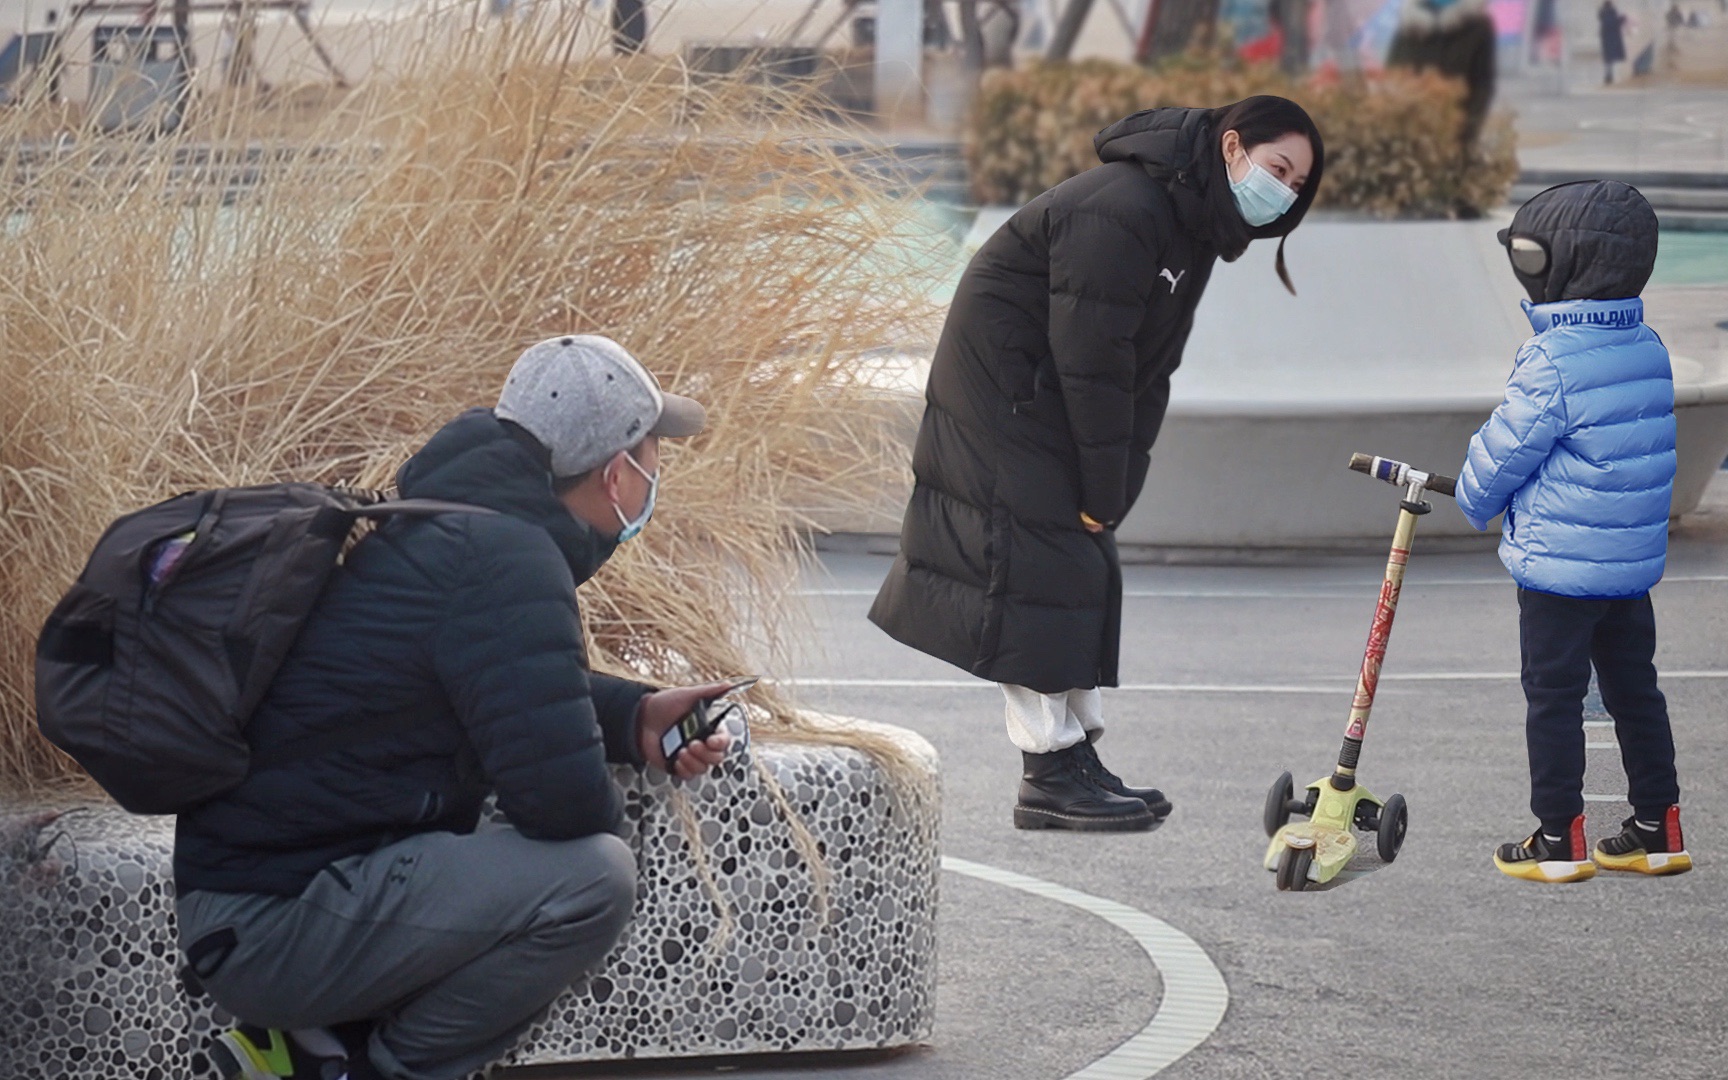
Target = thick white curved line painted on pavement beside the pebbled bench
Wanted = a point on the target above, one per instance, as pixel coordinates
(1195, 994)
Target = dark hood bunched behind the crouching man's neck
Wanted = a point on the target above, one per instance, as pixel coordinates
(488, 462)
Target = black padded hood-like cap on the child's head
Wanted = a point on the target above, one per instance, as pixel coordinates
(1601, 239)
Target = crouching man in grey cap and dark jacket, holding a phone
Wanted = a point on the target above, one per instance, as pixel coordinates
(345, 903)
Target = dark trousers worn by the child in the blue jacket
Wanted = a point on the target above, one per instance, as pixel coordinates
(1561, 638)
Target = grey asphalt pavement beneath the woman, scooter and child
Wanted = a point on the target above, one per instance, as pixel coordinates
(1435, 967)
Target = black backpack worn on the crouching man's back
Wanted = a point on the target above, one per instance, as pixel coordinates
(155, 661)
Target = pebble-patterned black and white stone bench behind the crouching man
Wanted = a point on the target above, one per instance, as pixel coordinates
(89, 967)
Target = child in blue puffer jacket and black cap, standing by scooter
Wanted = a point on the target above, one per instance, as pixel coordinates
(1580, 457)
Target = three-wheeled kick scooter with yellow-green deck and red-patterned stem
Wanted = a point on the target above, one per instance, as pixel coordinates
(1318, 849)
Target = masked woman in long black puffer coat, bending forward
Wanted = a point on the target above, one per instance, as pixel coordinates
(1045, 400)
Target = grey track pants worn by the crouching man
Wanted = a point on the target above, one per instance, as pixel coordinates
(455, 944)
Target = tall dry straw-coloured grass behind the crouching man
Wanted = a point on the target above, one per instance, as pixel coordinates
(384, 272)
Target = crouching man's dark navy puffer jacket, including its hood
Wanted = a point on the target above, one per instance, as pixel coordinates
(466, 630)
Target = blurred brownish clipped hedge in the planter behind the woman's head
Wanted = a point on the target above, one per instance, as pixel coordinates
(1392, 141)
